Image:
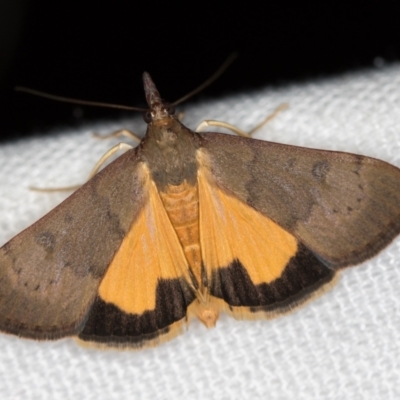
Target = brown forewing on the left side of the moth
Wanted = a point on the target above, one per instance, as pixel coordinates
(50, 273)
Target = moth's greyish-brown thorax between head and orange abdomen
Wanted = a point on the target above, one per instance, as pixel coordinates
(169, 150)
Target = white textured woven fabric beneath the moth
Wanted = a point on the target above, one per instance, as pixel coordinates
(344, 345)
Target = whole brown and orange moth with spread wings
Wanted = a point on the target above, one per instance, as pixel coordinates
(188, 225)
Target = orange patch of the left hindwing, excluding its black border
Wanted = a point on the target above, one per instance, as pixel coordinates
(151, 251)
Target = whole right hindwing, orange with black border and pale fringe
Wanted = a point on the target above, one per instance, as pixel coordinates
(255, 268)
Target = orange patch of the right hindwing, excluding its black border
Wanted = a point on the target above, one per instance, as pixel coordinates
(231, 230)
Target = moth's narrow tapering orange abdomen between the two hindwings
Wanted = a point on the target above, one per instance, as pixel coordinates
(182, 205)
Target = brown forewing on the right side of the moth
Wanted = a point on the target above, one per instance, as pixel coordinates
(343, 207)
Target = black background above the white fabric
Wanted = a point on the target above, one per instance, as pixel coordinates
(87, 50)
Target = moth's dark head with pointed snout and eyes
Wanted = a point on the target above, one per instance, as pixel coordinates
(159, 110)
